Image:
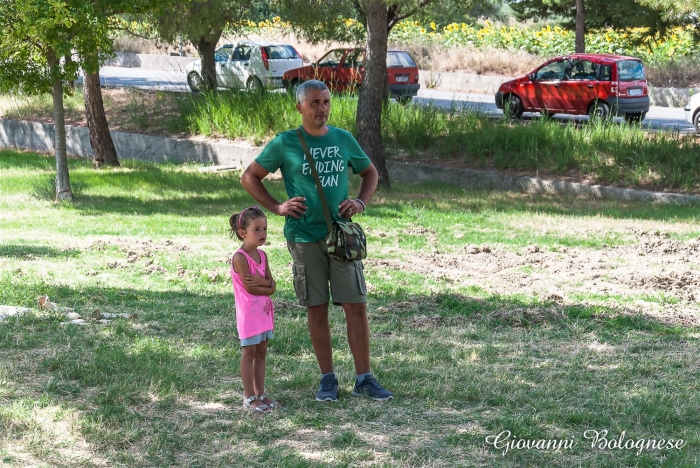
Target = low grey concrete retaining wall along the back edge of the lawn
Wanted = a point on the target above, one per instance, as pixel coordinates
(39, 137)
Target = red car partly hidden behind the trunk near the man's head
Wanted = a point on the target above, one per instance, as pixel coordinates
(343, 69)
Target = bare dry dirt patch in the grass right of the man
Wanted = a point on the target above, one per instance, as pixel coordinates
(652, 274)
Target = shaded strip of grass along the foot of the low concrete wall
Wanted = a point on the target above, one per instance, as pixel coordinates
(152, 188)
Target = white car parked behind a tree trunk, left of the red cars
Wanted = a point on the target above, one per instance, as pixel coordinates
(249, 64)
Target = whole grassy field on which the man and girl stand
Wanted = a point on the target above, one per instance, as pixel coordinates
(550, 319)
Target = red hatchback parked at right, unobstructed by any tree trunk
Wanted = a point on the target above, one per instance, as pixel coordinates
(600, 85)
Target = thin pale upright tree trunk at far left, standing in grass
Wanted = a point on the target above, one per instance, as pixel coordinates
(63, 190)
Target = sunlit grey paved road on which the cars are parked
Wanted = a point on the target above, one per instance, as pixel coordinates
(658, 118)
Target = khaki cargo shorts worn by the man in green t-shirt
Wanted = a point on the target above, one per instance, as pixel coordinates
(314, 270)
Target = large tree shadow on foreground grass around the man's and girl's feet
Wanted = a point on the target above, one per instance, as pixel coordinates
(165, 388)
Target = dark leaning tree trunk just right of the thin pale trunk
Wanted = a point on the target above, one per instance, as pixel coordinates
(100, 139)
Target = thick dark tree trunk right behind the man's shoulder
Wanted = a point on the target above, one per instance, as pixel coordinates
(369, 105)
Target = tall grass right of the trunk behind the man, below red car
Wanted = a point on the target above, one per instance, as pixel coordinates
(609, 152)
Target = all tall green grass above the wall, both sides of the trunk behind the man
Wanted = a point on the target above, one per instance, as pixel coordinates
(607, 151)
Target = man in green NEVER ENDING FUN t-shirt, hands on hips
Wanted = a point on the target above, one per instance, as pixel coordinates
(335, 151)
